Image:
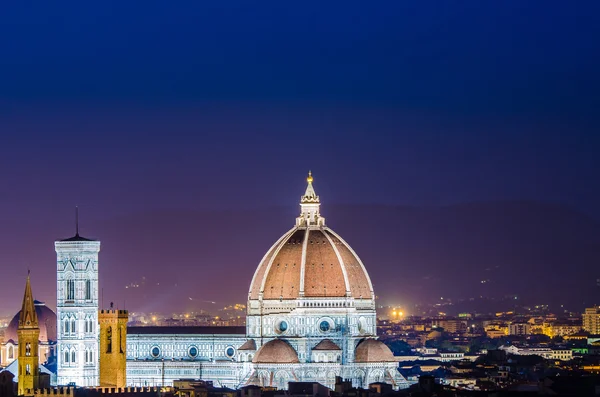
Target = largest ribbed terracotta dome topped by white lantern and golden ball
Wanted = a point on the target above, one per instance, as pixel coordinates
(311, 261)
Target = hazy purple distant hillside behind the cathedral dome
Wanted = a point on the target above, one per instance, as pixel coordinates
(181, 260)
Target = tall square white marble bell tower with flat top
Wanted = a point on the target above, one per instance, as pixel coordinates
(77, 310)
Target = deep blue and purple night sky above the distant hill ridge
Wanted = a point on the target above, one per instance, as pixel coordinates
(122, 108)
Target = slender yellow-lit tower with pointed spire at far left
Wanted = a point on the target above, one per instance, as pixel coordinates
(28, 333)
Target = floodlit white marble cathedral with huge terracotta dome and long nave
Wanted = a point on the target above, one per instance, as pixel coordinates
(310, 317)
